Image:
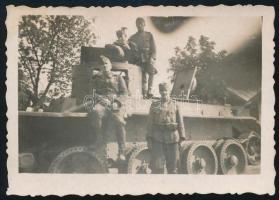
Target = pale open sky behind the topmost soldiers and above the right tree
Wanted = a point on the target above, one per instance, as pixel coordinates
(229, 33)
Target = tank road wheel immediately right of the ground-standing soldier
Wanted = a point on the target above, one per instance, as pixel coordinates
(199, 158)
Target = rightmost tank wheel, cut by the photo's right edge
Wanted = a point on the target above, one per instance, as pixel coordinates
(253, 148)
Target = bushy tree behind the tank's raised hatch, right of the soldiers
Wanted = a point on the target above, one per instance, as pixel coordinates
(203, 56)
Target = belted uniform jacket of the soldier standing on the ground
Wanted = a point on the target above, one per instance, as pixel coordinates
(165, 123)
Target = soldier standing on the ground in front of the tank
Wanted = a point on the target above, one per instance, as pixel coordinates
(165, 132)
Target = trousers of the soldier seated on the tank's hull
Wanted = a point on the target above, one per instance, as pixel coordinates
(100, 118)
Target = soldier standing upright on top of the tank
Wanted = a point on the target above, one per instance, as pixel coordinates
(145, 55)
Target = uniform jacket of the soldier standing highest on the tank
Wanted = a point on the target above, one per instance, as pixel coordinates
(145, 45)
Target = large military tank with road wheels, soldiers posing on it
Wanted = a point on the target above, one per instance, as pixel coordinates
(61, 140)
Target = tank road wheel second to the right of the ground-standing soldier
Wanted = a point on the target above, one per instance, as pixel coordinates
(232, 157)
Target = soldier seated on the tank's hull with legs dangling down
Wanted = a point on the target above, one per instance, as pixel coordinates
(108, 89)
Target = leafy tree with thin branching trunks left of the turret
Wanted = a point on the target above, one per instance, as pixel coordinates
(48, 48)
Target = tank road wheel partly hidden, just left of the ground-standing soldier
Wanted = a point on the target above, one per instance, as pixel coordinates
(139, 161)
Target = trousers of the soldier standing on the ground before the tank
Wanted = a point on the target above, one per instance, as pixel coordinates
(162, 154)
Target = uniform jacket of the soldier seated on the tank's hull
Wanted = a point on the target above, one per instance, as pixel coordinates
(109, 84)
